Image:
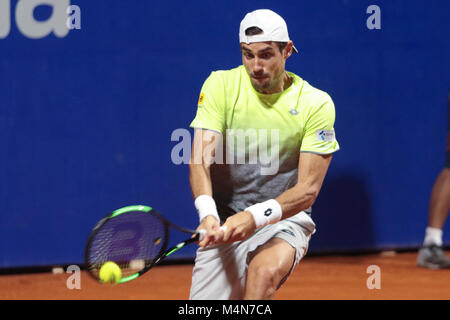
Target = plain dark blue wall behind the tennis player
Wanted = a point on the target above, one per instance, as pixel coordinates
(86, 120)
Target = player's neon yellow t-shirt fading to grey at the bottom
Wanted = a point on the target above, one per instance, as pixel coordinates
(298, 119)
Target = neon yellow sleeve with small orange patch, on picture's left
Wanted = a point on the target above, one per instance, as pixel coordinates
(211, 105)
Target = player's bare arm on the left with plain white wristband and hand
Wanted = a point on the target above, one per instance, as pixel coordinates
(203, 152)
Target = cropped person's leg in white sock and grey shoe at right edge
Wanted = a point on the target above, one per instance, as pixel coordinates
(431, 255)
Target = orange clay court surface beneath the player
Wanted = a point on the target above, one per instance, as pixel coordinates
(316, 278)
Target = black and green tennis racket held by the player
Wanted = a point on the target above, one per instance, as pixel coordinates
(135, 238)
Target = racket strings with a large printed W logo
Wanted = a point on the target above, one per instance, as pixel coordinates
(132, 240)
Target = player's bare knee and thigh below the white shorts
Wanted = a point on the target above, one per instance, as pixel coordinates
(270, 265)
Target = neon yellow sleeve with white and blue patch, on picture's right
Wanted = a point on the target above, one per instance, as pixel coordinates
(319, 134)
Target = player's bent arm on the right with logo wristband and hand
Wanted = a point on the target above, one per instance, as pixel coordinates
(311, 174)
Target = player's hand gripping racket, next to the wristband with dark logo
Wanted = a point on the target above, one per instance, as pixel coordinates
(238, 227)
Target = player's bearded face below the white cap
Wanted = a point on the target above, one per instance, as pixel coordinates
(265, 65)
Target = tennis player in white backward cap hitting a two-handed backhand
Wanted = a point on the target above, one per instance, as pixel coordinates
(257, 219)
